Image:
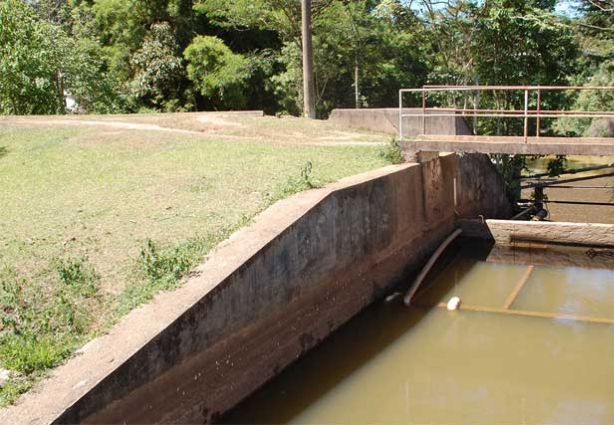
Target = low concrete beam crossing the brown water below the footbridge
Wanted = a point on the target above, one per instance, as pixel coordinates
(511, 233)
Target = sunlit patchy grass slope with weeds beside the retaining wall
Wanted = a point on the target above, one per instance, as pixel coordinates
(95, 221)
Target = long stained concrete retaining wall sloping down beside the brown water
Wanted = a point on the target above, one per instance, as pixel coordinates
(273, 291)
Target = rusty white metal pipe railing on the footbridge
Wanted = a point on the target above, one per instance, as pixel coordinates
(526, 113)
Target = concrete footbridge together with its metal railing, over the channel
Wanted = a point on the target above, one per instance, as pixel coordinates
(454, 102)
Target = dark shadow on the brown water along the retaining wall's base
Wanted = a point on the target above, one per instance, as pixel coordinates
(347, 350)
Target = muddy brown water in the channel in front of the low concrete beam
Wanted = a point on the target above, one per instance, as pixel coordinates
(427, 365)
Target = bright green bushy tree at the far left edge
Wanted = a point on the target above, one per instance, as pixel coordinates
(40, 63)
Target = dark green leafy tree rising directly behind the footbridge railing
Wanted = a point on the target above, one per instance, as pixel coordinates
(521, 43)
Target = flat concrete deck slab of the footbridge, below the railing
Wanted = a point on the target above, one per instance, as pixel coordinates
(593, 146)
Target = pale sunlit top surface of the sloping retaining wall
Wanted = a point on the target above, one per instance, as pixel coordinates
(98, 358)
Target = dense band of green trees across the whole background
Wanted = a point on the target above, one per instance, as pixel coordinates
(183, 55)
